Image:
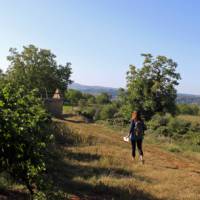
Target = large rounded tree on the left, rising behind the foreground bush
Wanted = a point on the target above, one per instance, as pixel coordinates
(37, 68)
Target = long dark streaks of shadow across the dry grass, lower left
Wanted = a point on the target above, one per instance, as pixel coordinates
(74, 178)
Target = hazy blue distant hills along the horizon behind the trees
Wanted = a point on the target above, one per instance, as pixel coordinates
(181, 98)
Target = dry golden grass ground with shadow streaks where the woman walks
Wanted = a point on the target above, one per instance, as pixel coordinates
(91, 161)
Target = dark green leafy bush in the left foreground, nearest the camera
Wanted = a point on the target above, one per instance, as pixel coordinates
(23, 134)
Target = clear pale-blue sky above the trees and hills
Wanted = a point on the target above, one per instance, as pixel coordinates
(102, 37)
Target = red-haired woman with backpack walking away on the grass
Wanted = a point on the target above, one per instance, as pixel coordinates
(136, 134)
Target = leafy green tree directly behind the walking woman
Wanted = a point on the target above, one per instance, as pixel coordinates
(151, 89)
